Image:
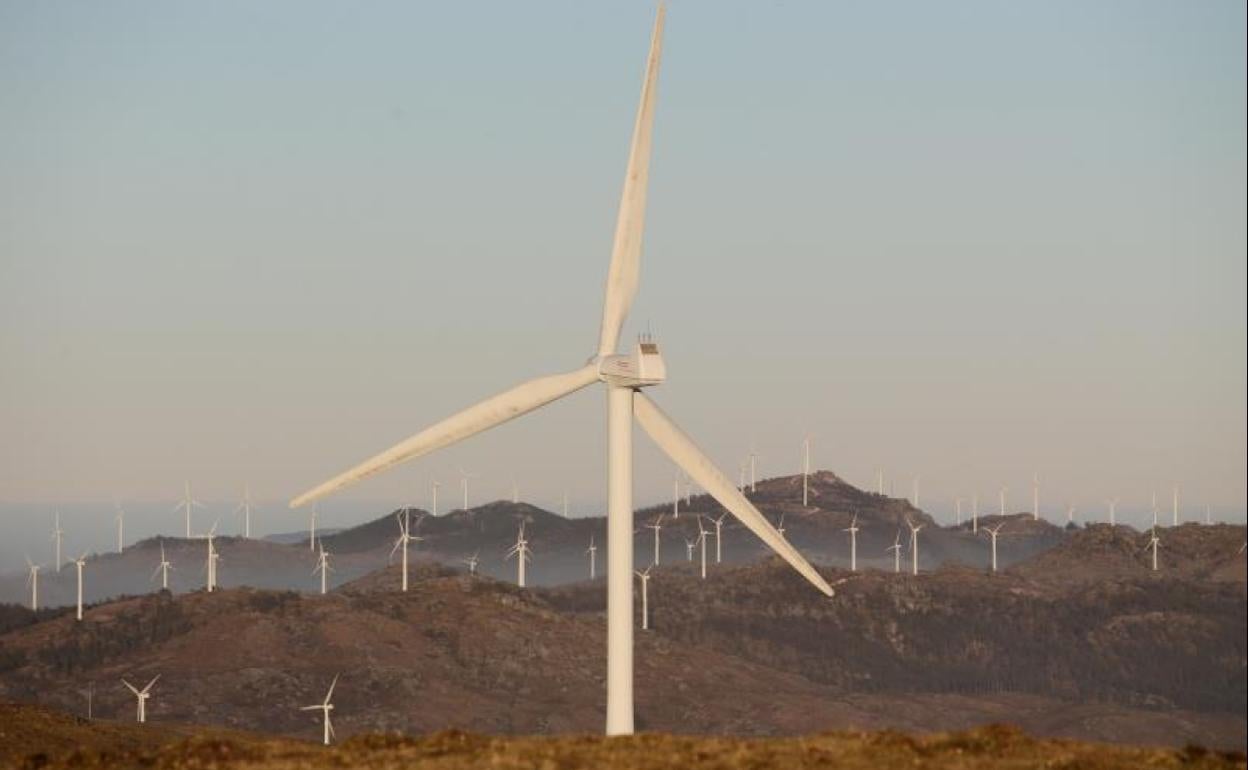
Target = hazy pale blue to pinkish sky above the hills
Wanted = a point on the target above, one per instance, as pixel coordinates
(970, 243)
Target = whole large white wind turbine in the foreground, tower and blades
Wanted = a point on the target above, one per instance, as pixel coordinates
(625, 376)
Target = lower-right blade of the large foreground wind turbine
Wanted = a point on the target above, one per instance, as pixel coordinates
(687, 455)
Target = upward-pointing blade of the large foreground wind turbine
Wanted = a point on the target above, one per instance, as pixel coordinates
(622, 278)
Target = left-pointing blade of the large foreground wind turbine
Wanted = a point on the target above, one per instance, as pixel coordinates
(509, 405)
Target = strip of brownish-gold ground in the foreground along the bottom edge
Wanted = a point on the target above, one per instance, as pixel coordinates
(34, 738)
